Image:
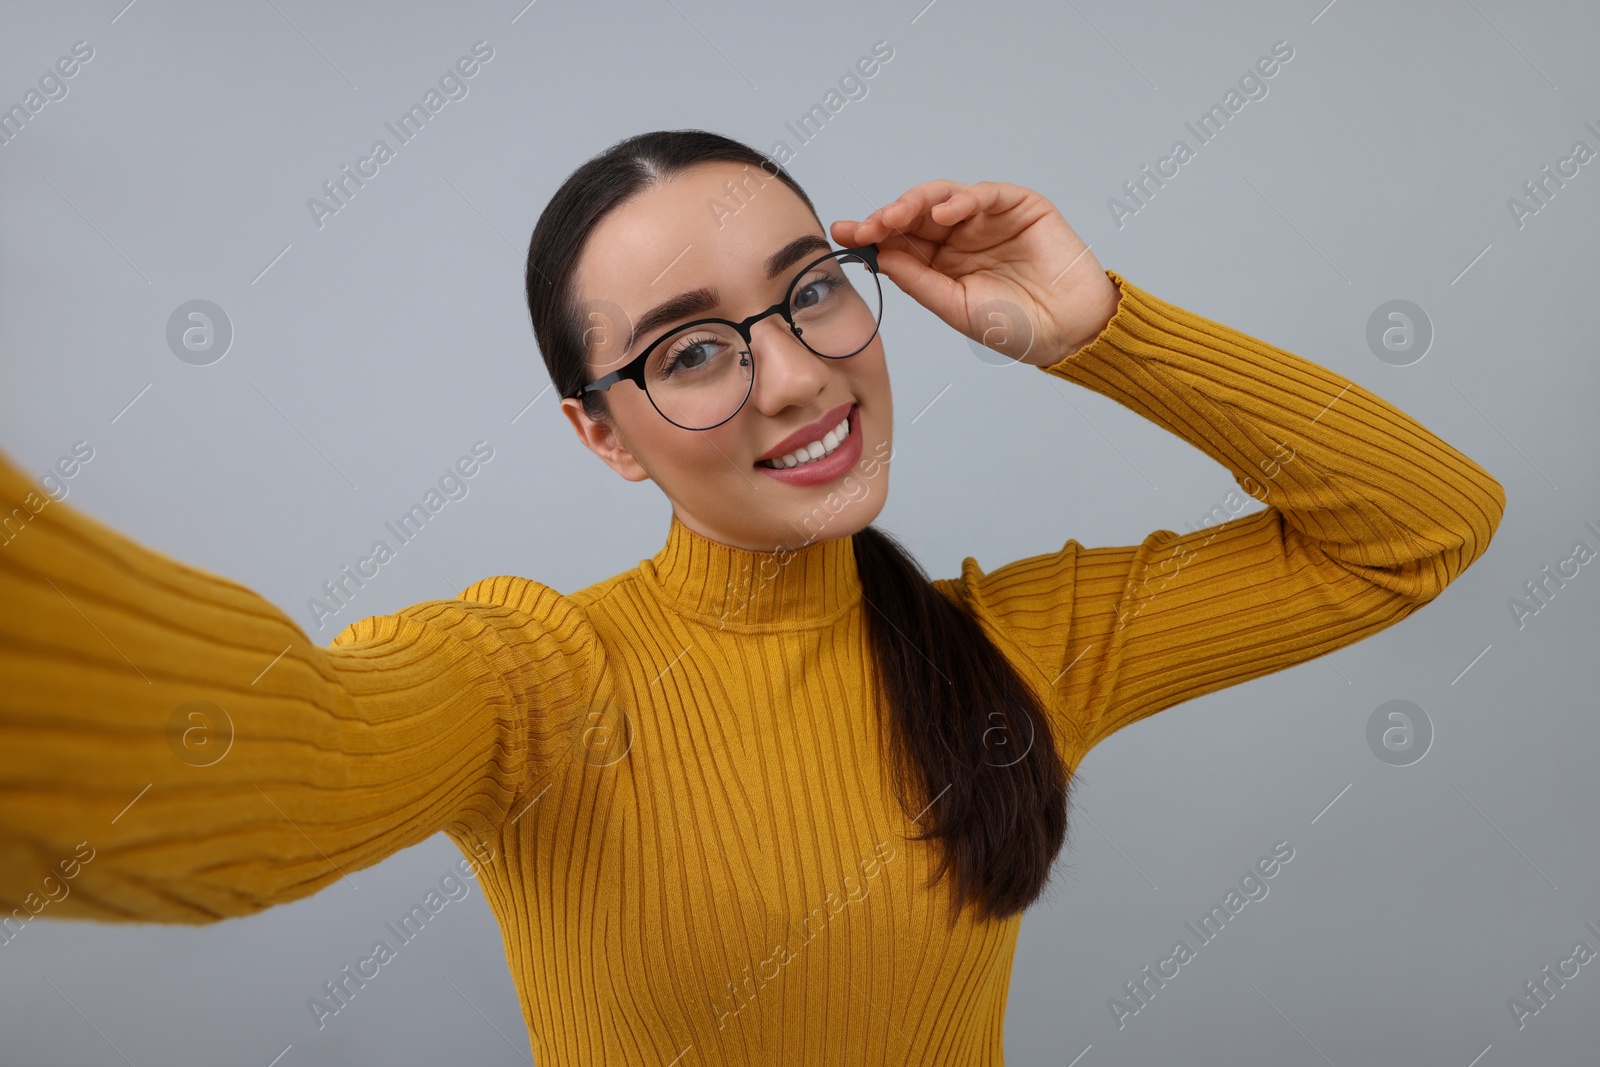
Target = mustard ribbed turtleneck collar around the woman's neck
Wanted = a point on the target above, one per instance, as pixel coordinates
(742, 589)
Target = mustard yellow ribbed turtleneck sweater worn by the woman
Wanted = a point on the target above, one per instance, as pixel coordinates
(698, 858)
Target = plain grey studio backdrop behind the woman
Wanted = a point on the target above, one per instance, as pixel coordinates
(370, 353)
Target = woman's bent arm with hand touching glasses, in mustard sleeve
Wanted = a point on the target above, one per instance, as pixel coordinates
(1369, 514)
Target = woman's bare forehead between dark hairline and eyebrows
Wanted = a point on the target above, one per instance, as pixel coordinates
(692, 231)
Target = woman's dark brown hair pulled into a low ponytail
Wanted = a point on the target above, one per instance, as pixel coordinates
(956, 708)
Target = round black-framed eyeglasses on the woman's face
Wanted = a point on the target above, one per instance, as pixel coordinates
(700, 375)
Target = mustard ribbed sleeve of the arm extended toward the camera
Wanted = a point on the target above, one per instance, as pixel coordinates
(175, 749)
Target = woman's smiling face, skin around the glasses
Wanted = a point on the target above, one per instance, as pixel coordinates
(687, 234)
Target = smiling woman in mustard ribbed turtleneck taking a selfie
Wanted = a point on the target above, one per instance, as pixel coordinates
(770, 796)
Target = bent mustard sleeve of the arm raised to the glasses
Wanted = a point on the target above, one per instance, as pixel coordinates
(1369, 516)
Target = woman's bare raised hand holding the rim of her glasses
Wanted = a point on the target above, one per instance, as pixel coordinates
(980, 255)
